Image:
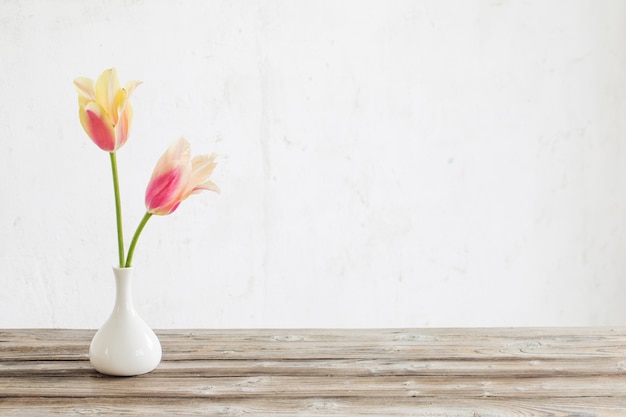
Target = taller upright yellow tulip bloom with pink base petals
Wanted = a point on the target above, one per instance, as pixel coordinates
(104, 109)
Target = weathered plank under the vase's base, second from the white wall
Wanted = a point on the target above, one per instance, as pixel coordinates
(512, 368)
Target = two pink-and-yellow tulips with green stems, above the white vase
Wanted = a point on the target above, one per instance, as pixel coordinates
(106, 115)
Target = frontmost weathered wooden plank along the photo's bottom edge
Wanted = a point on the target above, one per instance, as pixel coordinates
(316, 407)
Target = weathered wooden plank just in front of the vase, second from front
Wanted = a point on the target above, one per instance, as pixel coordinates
(299, 387)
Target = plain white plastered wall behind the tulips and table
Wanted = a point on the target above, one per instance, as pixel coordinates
(383, 163)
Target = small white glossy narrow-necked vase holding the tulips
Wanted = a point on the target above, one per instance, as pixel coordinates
(125, 345)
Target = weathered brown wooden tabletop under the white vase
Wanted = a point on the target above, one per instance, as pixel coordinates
(575, 372)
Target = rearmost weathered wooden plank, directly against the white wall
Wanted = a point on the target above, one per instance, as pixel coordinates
(349, 344)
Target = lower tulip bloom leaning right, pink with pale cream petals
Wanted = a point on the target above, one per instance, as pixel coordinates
(177, 176)
